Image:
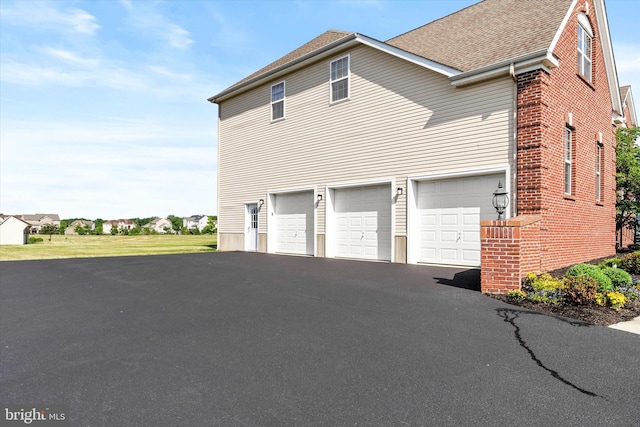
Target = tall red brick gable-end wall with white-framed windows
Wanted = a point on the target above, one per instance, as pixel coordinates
(574, 227)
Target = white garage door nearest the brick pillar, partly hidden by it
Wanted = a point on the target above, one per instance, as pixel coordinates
(449, 214)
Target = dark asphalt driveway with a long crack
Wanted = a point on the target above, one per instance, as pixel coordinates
(235, 339)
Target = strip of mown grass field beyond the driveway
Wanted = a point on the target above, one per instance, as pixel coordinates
(100, 246)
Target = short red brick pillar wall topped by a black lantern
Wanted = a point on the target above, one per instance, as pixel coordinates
(509, 250)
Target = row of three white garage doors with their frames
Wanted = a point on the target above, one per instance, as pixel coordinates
(358, 221)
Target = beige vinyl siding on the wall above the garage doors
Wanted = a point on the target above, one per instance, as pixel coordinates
(401, 120)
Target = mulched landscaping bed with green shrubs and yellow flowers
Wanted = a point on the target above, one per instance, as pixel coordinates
(581, 293)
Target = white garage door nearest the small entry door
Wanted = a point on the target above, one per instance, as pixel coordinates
(294, 223)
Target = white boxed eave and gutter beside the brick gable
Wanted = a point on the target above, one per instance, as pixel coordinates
(541, 59)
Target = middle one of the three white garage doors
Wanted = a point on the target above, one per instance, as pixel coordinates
(363, 222)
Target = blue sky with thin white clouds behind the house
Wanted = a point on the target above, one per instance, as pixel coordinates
(103, 109)
